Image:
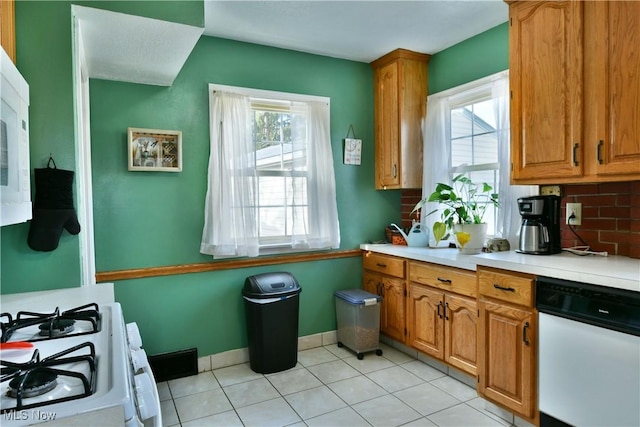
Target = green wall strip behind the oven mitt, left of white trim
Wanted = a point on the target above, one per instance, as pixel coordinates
(43, 54)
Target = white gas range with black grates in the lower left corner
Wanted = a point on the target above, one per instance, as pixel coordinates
(66, 360)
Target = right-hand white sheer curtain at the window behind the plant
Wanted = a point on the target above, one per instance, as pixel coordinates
(508, 214)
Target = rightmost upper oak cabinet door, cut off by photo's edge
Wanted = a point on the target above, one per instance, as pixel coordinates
(615, 81)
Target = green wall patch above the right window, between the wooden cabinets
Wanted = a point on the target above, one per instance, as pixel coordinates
(474, 58)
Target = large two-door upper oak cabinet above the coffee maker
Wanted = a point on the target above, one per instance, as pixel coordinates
(575, 107)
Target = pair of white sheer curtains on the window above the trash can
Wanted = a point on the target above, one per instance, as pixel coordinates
(231, 213)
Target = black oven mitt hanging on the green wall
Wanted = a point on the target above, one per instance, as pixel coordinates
(53, 208)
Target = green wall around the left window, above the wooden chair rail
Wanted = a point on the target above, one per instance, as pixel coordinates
(148, 219)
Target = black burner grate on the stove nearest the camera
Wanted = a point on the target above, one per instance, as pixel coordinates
(24, 378)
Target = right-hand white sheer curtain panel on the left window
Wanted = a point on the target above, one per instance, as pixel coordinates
(320, 229)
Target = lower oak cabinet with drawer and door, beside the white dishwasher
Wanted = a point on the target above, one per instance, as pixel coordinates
(507, 341)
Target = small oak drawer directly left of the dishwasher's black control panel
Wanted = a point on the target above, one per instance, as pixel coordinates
(506, 286)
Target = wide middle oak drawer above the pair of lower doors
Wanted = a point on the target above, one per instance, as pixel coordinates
(448, 278)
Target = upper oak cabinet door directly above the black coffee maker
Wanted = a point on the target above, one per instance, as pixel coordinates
(545, 60)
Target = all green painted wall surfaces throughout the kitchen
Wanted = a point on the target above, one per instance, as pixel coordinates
(155, 219)
